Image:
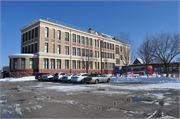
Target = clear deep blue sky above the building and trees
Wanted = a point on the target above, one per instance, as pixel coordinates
(135, 17)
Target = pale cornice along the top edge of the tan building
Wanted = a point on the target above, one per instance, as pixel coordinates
(42, 20)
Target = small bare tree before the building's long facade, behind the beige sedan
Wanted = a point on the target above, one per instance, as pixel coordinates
(87, 60)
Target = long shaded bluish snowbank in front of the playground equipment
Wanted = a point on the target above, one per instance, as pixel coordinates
(145, 79)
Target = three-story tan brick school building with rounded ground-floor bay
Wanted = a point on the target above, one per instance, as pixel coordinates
(53, 46)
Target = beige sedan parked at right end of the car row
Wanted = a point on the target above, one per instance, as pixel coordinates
(96, 78)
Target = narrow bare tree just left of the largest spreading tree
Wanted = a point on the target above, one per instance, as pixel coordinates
(144, 52)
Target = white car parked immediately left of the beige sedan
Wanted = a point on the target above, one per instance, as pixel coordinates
(79, 77)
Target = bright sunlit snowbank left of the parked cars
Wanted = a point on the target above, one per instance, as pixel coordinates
(28, 78)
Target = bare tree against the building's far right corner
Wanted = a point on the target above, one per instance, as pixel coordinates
(127, 53)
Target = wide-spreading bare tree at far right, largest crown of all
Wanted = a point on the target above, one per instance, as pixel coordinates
(166, 47)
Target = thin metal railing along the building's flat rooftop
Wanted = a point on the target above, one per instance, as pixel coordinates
(66, 24)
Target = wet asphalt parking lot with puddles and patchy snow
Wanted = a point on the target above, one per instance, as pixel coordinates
(33, 99)
